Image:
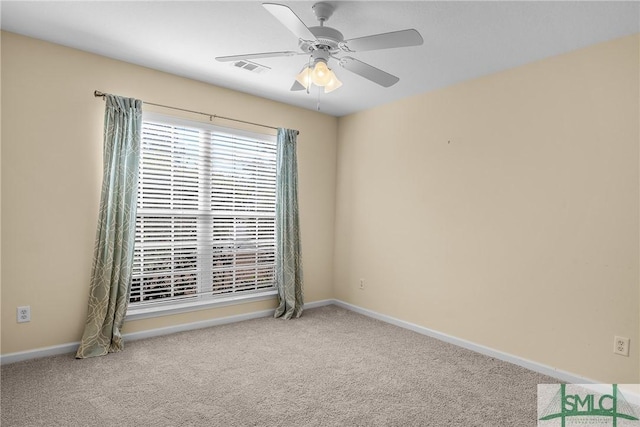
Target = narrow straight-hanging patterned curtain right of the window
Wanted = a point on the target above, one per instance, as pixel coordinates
(288, 255)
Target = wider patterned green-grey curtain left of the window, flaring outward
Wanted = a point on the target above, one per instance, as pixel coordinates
(113, 251)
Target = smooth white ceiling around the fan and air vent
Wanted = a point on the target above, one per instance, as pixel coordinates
(462, 40)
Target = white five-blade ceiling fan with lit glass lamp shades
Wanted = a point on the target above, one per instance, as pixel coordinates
(325, 43)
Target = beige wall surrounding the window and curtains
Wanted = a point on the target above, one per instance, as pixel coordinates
(52, 171)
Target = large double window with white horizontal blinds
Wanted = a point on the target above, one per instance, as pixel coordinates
(205, 222)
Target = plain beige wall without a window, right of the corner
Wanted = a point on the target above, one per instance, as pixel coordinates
(503, 210)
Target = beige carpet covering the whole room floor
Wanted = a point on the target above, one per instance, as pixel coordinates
(331, 367)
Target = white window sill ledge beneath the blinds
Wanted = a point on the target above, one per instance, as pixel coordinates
(138, 313)
